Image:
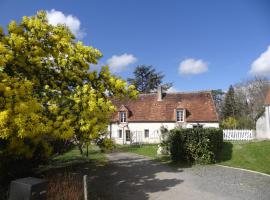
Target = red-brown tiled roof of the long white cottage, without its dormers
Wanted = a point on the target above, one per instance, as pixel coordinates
(199, 107)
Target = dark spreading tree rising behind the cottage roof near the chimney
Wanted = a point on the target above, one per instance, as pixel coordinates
(146, 79)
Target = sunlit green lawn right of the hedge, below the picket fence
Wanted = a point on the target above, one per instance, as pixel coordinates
(252, 155)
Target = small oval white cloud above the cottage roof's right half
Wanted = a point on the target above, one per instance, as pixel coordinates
(192, 66)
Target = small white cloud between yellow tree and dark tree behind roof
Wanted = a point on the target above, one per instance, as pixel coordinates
(119, 63)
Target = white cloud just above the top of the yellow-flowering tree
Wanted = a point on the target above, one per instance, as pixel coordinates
(57, 17)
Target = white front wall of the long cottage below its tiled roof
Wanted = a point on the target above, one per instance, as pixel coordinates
(137, 130)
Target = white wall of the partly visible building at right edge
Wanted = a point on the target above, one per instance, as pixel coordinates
(263, 125)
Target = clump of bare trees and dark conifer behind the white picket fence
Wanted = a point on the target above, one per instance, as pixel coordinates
(245, 102)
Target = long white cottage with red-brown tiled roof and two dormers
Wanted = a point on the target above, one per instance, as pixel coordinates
(140, 120)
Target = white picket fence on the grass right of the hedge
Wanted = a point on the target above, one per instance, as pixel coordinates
(235, 134)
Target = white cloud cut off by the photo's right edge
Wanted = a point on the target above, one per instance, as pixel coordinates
(261, 66)
